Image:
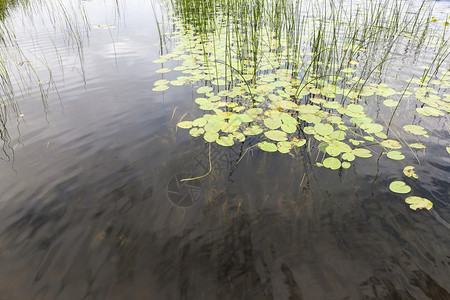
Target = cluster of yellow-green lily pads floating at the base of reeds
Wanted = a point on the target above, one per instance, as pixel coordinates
(256, 93)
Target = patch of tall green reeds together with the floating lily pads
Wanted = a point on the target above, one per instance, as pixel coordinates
(284, 74)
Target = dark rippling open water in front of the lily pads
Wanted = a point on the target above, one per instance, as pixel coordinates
(91, 206)
